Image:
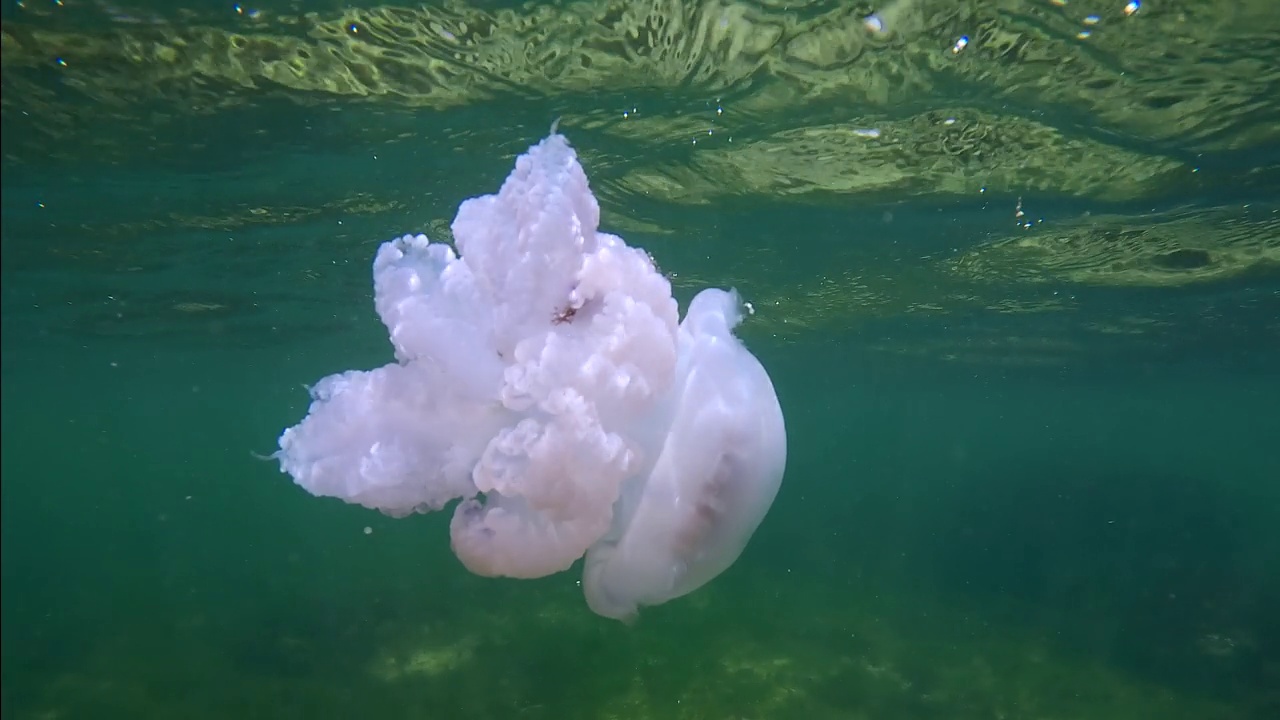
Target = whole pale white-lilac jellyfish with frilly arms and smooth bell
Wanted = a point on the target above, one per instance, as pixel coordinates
(545, 379)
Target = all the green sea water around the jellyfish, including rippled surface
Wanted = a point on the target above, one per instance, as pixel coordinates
(1016, 268)
